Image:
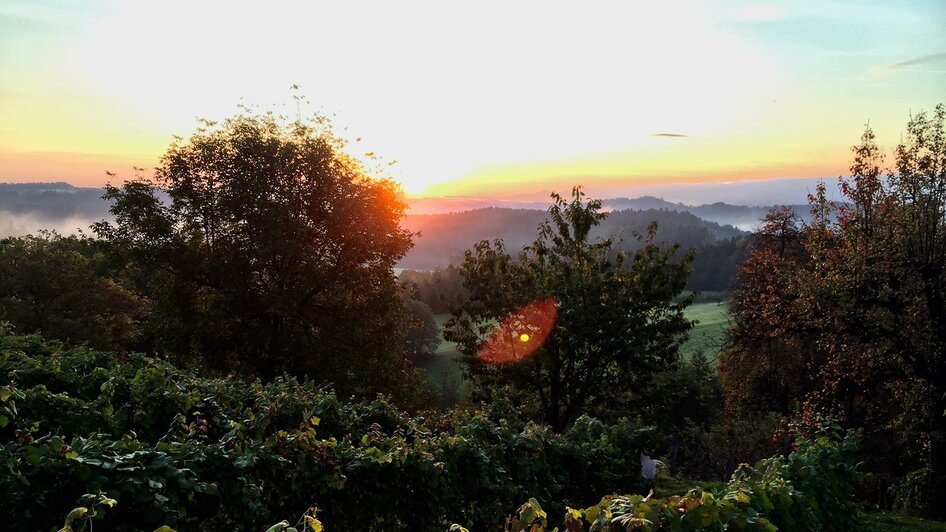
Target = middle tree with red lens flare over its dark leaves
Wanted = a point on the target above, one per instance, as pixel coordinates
(570, 325)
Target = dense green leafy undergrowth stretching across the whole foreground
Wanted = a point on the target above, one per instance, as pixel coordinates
(165, 447)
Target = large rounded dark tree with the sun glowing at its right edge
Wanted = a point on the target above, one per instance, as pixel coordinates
(264, 249)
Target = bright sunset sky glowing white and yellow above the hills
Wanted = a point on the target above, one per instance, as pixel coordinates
(477, 99)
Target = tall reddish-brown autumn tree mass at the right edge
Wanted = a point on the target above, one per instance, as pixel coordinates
(847, 314)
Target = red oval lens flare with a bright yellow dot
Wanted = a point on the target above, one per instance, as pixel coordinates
(521, 333)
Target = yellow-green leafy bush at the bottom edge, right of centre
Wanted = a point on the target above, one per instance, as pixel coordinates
(811, 489)
